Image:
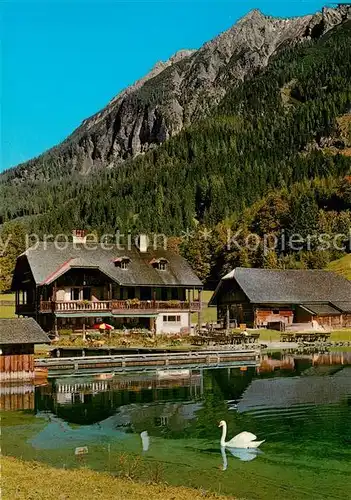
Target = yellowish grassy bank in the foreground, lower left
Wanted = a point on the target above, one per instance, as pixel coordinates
(25, 480)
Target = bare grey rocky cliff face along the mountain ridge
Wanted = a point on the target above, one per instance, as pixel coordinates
(180, 91)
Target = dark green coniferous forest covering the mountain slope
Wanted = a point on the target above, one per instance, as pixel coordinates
(273, 158)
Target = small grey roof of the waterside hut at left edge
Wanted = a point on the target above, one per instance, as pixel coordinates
(21, 331)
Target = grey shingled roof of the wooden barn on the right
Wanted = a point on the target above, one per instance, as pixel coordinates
(267, 286)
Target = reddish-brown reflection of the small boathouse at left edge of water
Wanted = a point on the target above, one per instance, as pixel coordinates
(17, 397)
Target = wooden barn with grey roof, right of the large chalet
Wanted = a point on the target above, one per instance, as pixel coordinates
(262, 297)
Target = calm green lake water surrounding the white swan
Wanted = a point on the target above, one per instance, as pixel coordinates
(300, 404)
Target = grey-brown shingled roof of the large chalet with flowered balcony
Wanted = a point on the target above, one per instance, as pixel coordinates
(47, 263)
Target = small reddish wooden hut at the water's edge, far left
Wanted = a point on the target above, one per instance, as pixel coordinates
(17, 340)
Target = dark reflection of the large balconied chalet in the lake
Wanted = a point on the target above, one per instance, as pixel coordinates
(83, 400)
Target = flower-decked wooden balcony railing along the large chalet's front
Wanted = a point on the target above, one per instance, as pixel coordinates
(118, 306)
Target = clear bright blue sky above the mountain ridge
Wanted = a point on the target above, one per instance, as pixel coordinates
(63, 61)
